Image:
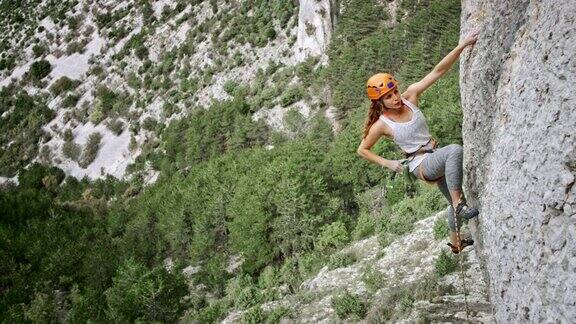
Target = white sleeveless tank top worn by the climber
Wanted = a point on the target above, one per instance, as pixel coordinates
(411, 135)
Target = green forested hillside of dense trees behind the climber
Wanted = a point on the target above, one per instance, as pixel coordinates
(241, 213)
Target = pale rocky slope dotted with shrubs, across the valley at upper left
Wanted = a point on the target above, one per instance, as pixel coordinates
(134, 63)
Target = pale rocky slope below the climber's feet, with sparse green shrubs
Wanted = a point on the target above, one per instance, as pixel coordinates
(401, 274)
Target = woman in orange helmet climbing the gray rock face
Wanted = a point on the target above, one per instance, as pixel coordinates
(397, 116)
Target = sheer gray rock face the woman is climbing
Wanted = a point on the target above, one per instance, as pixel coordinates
(517, 89)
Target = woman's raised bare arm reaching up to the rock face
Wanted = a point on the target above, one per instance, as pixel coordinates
(414, 90)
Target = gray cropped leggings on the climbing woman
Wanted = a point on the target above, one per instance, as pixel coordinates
(446, 162)
